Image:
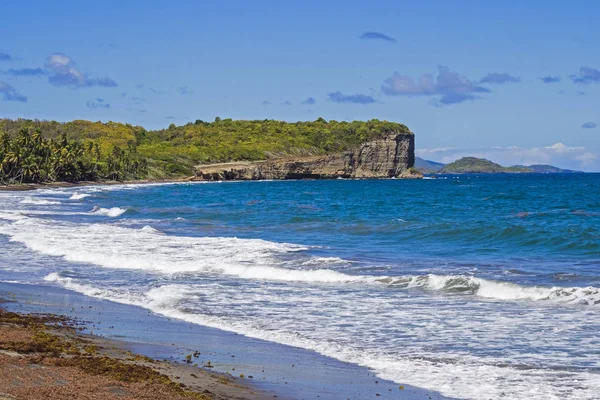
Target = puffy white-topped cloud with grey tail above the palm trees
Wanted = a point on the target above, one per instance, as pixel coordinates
(64, 72)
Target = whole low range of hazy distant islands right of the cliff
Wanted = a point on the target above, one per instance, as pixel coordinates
(474, 165)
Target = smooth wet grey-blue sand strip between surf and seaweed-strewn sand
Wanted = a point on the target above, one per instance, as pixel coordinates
(270, 370)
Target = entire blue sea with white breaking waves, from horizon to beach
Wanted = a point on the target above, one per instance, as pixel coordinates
(474, 286)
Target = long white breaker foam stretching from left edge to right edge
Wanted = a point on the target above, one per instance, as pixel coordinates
(118, 247)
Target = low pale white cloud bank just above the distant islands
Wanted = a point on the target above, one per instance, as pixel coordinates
(558, 154)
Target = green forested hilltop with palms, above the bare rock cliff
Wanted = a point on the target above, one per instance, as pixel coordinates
(114, 150)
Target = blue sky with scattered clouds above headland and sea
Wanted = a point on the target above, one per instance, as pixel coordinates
(515, 82)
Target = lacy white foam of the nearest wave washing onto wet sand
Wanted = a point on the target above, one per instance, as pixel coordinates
(453, 374)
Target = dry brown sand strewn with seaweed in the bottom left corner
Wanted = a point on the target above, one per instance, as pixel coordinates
(45, 356)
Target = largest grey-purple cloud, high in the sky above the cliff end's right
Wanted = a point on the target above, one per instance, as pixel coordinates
(452, 87)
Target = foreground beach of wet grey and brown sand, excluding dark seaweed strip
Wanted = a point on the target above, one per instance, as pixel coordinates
(223, 365)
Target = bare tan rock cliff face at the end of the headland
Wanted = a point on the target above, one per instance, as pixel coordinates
(390, 156)
